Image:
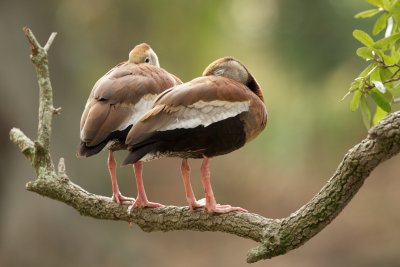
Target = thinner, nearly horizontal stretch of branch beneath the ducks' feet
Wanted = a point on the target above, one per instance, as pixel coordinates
(168, 218)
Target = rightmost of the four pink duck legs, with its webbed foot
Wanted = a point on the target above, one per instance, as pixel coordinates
(211, 204)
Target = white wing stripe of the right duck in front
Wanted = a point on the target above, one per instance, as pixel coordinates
(205, 113)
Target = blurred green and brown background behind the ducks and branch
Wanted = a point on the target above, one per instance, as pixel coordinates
(303, 55)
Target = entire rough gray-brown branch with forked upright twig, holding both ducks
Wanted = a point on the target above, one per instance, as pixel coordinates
(277, 236)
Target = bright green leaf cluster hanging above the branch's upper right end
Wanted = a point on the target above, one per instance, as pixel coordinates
(377, 87)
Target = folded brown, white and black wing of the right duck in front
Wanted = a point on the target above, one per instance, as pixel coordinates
(191, 119)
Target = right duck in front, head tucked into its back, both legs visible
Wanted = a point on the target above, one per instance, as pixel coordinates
(209, 116)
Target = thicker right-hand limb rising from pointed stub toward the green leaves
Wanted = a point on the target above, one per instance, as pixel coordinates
(382, 143)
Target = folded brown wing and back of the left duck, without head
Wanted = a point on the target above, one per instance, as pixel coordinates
(118, 100)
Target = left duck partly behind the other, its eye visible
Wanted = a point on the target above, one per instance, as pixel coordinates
(117, 101)
